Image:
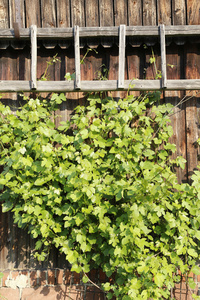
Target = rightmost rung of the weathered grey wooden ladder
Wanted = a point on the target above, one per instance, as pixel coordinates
(163, 56)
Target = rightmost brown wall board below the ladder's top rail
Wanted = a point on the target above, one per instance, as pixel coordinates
(192, 121)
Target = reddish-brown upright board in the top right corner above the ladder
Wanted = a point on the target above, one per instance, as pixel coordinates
(193, 12)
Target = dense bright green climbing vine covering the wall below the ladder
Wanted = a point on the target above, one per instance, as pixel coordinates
(102, 189)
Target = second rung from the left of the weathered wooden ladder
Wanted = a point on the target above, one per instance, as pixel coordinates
(77, 58)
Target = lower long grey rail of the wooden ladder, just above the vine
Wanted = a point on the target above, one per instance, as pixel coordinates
(93, 86)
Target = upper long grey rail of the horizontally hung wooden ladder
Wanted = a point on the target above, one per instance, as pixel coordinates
(64, 33)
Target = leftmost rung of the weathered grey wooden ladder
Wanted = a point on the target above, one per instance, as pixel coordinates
(33, 57)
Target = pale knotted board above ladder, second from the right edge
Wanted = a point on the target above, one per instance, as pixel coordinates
(178, 12)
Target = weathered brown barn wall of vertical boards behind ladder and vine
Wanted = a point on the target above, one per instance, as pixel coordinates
(183, 59)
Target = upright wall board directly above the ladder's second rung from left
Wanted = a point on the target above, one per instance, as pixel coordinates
(78, 13)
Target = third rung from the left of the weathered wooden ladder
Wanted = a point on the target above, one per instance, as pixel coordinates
(122, 46)
